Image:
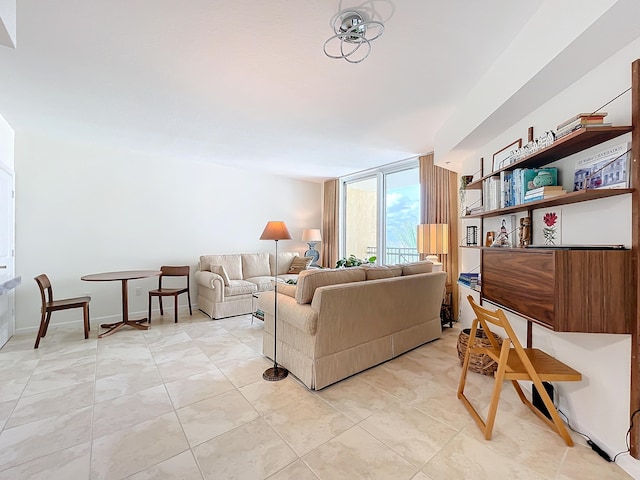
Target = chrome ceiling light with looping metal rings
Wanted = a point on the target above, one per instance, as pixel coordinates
(353, 36)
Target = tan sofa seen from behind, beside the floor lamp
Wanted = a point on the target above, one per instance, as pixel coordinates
(335, 323)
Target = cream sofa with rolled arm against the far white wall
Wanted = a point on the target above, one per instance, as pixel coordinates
(226, 283)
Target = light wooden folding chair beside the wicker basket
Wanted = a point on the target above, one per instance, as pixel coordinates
(515, 363)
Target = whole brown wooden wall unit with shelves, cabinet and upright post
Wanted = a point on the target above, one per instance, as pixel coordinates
(567, 269)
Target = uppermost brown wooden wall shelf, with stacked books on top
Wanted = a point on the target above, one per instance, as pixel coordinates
(573, 143)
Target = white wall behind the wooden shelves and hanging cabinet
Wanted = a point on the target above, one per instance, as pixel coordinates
(599, 405)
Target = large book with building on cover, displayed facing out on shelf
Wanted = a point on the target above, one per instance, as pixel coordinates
(606, 169)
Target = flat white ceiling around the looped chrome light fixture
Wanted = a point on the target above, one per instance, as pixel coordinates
(245, 82)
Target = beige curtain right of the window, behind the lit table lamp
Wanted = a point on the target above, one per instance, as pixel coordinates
(439, 204)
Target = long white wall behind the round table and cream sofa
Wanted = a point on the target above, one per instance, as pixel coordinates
(84, 209)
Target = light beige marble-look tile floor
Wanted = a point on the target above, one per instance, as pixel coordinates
(187, 401)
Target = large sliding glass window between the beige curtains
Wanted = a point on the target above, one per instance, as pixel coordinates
(381, 209)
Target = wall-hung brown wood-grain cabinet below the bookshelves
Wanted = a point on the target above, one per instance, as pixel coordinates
(566, 290)
